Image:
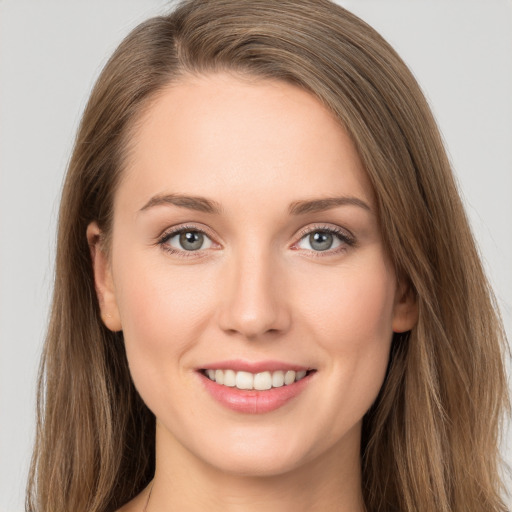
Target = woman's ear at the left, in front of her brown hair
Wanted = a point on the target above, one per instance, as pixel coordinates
(103, 280)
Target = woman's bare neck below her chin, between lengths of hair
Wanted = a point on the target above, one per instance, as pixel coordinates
(330, 483)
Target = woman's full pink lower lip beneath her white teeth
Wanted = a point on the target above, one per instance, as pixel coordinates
(252, 401)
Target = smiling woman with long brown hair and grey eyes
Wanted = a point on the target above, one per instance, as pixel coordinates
(259, 302)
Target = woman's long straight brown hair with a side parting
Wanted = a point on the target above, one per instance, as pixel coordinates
(430, 442)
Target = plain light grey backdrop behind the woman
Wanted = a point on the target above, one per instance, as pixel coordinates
(50, 54)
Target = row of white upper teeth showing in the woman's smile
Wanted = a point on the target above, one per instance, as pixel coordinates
(259, 381)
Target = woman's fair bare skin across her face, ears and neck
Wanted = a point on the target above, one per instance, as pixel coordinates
(258, 291)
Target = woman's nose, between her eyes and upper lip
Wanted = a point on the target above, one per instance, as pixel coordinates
(254, 301)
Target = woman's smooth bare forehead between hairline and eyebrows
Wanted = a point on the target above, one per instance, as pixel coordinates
(229, 137)
